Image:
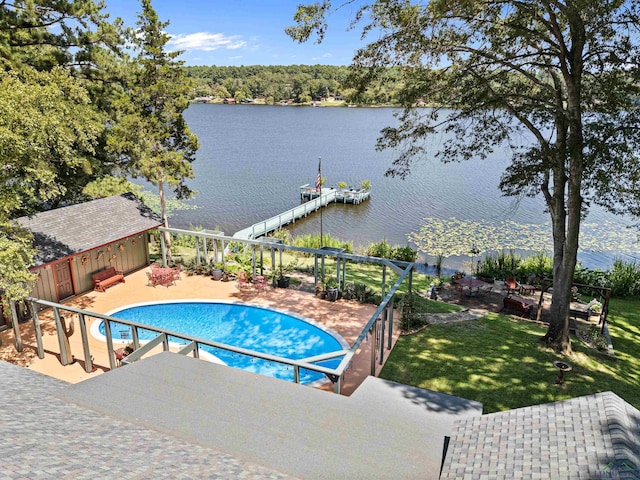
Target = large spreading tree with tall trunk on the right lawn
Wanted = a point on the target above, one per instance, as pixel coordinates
(562, 74)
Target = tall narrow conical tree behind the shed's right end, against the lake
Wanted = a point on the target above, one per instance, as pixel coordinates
(151, 135)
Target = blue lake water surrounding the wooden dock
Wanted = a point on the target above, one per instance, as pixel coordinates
(253, 159)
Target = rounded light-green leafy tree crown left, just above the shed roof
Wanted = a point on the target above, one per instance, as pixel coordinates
(48, 133)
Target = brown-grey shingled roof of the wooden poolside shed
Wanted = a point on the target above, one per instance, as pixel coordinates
(70, 230)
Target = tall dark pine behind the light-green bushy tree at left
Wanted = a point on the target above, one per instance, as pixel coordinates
(73, 38)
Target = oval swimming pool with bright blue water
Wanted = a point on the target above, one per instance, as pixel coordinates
(247, 326)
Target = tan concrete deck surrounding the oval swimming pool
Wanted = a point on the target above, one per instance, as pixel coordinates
(344, 317)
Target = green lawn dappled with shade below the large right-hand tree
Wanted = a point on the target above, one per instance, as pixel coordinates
(499, 361)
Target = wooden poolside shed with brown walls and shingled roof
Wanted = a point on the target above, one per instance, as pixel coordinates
(74, 242)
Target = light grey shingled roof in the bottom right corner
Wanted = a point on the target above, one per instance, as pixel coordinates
(590, 437)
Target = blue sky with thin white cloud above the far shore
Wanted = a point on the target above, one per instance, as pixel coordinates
(244, 32)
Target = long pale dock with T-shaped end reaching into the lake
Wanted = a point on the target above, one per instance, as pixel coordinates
(314, 201)
